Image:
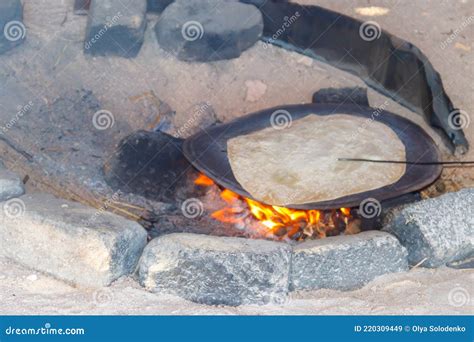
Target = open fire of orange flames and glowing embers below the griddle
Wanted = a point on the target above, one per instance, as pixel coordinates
(280, 222)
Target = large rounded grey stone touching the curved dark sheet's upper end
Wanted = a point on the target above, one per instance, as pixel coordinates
(208, 30)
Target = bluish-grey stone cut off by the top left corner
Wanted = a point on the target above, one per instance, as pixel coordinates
(12, 29)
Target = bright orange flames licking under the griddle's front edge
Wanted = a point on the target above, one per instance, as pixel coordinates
(271, 216)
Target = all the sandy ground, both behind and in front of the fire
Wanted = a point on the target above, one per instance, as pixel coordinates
(48, 65)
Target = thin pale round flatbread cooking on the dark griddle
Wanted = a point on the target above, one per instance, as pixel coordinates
(299, 164)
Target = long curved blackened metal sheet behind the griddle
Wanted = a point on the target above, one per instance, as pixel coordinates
(390, 65)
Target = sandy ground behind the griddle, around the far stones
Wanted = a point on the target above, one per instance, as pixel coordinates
(51, 65)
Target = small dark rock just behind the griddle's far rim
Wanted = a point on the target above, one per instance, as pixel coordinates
(356, 95)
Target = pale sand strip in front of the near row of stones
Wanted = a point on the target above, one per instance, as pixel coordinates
(421, 291)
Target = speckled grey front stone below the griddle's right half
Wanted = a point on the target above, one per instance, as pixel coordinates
(346, 262)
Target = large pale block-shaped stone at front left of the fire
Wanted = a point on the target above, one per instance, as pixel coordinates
(77, 244)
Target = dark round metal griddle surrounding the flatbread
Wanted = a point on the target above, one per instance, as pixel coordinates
(207, 151)
